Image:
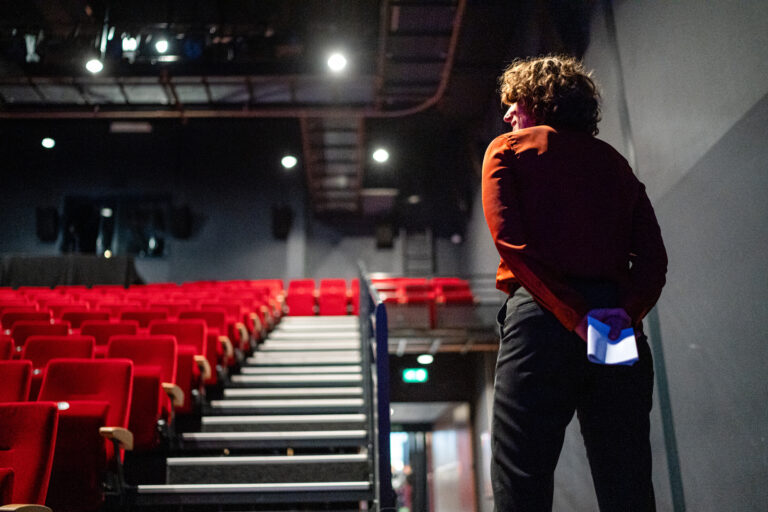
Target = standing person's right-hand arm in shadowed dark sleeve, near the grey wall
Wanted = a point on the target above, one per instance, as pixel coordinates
(648, 259)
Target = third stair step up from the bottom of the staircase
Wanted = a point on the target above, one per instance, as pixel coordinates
(295, 439)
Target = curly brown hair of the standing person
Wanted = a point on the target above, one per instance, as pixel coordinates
(555, 90)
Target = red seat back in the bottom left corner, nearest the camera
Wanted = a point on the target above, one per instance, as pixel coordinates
(27, 436)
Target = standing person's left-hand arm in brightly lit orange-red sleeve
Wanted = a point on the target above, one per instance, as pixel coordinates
(506, 227)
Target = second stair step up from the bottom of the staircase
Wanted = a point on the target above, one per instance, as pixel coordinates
(267, 469)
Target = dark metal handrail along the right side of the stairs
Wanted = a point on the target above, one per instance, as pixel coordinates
(373, 325)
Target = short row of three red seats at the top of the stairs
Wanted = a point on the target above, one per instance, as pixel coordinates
(333, 297)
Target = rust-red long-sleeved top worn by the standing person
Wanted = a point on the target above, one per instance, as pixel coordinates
(564, 206)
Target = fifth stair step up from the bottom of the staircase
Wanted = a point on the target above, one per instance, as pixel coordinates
(295, 406)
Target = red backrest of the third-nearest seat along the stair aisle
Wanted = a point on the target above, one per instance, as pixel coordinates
(147, 350)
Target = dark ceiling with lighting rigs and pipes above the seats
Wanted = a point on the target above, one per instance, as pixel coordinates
(421, 77)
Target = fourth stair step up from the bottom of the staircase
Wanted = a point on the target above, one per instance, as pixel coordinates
(283, 422)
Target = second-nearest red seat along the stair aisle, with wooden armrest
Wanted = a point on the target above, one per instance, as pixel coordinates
(94, 401)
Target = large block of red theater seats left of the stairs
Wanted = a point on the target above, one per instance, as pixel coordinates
(124, 374)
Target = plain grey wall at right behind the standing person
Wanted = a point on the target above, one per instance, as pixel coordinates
(694, 108)
